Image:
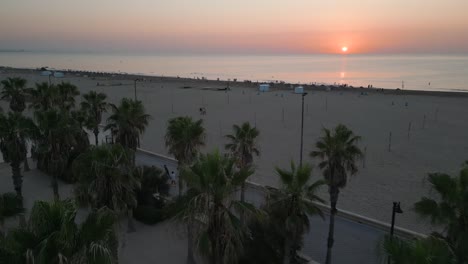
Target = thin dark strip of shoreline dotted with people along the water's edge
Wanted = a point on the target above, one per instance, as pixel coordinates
(250, 84)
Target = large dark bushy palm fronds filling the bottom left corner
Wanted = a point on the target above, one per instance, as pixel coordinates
(52, 236)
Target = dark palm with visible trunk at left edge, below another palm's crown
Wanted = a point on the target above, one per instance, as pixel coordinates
(14, 130)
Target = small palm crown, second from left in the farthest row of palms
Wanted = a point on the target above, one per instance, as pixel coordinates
(43, 96)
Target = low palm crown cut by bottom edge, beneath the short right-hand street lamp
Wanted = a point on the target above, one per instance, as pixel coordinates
(430, 250)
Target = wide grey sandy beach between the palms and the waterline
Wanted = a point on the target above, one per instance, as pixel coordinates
(436, 142)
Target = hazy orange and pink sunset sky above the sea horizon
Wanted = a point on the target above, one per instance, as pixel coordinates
(240, 26)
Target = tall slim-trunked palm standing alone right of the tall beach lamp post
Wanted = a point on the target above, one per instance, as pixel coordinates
(338, 153)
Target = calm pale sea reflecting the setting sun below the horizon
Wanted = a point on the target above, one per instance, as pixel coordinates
(412, 72)
